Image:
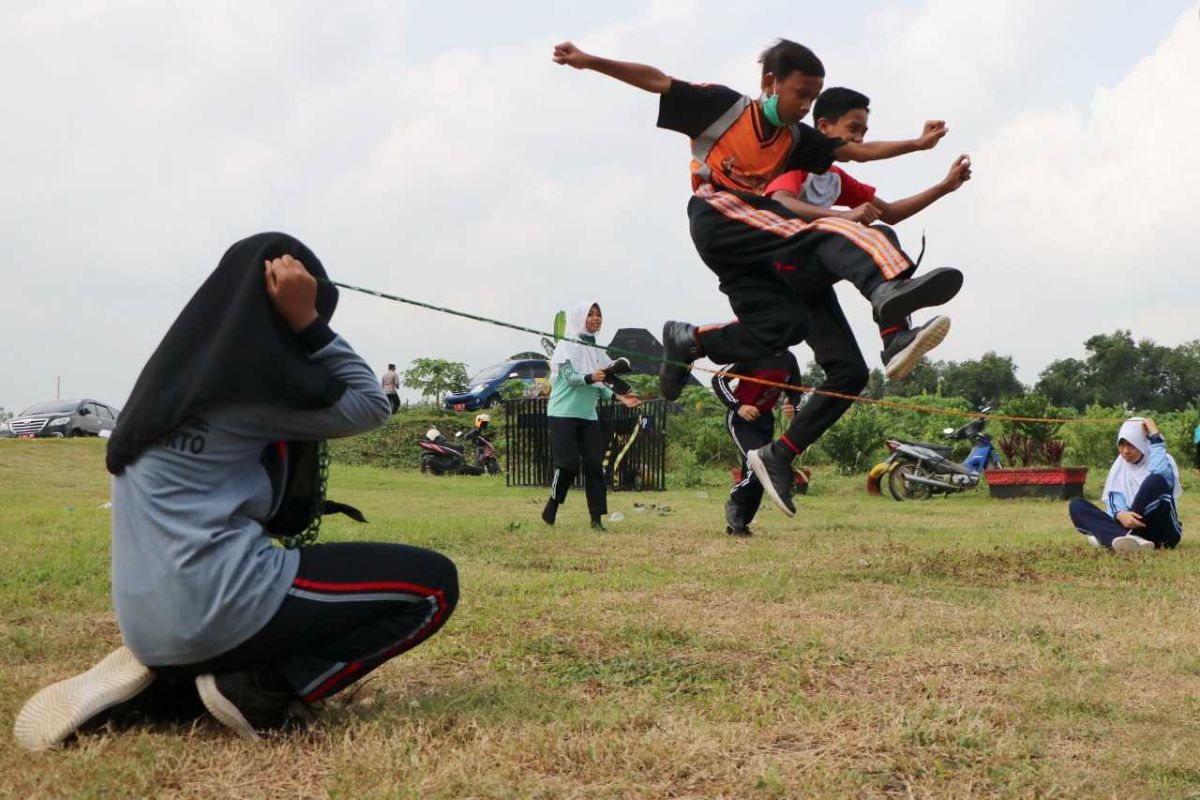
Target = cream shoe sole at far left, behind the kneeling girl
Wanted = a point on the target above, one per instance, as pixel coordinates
(58, 711)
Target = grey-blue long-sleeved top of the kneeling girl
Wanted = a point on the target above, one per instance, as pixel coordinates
(194, 574)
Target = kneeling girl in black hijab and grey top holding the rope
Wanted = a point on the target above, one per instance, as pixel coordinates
(219, 448)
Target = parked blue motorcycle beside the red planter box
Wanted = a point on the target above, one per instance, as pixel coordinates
(917, 471)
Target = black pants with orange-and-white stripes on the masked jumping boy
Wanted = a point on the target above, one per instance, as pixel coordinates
(770, 262)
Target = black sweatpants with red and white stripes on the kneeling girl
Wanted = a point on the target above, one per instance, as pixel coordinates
(352, 607)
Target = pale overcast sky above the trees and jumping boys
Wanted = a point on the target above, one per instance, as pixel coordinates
(435, 152)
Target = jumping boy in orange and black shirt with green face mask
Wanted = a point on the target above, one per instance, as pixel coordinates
(770, 262)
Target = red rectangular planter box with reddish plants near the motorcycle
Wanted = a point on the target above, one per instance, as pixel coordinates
(1034, 455)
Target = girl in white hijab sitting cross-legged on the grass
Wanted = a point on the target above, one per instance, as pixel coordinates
(1139, 497)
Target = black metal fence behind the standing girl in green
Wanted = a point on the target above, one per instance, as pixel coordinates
(635, 444)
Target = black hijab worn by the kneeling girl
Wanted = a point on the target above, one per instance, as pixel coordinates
(227, 346)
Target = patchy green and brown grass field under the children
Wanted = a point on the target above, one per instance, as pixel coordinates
(958, 648)
